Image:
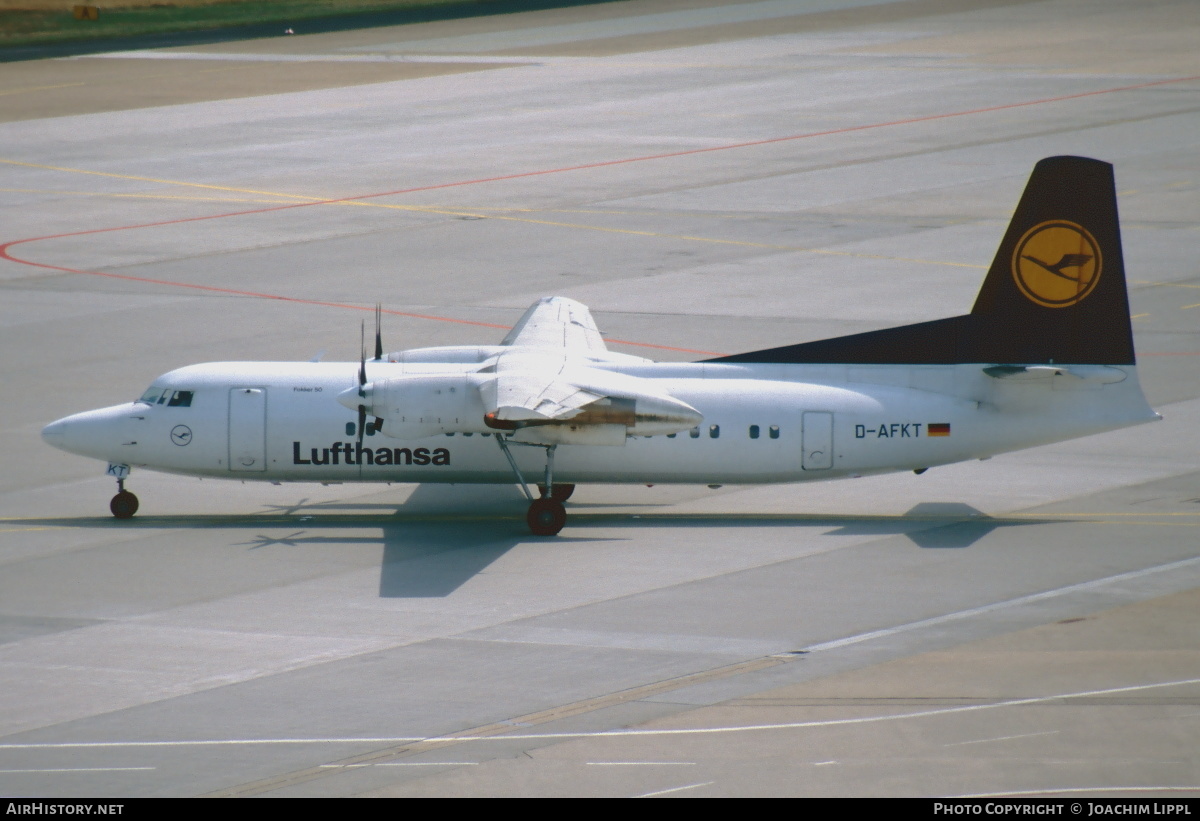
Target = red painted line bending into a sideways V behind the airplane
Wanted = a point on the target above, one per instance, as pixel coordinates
(7, 255)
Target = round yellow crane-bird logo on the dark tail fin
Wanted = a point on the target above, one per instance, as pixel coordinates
(1058, 263)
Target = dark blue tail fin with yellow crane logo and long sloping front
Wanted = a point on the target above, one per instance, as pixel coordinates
(1055, 292)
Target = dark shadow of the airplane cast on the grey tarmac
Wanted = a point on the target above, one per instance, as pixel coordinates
(434, 543)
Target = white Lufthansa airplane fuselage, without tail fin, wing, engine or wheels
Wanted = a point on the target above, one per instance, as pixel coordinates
(280, 422)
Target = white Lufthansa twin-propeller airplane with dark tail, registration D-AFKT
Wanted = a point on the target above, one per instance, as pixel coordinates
(1046, 355)
